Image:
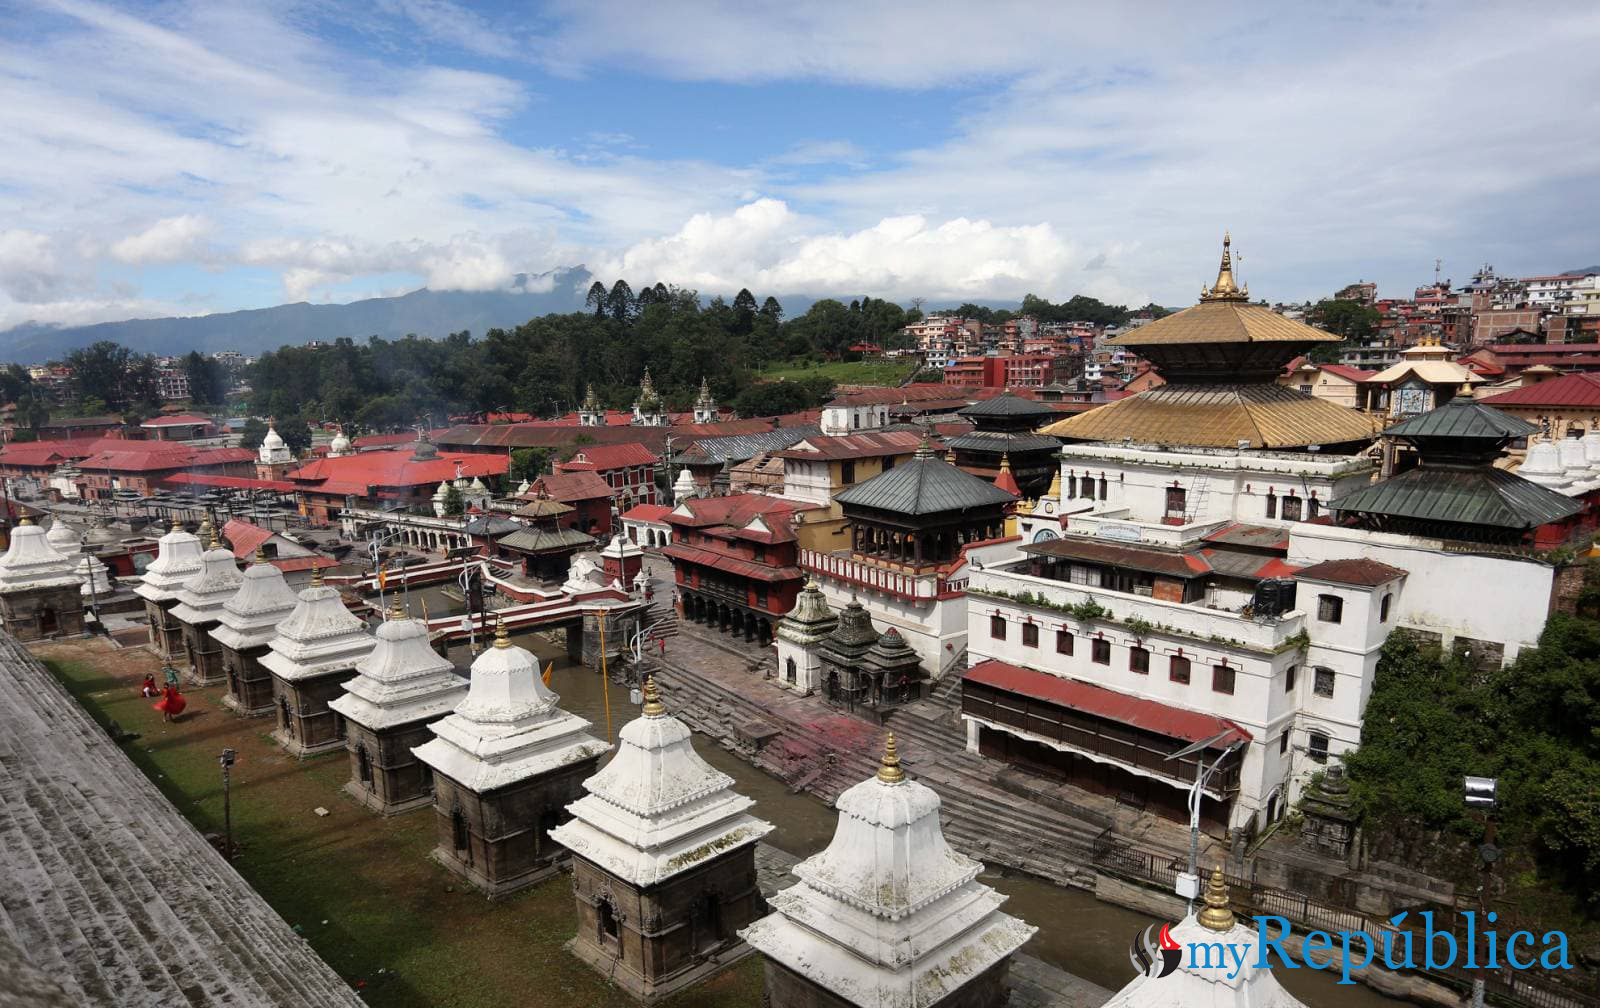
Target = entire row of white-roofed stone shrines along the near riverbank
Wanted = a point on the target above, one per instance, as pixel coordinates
(660, 846)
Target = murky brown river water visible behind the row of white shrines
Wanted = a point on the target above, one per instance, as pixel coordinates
(1076, 932)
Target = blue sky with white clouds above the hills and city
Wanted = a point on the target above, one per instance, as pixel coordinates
(178, 159)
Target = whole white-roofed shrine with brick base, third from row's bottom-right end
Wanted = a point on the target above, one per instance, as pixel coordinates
(663, 862)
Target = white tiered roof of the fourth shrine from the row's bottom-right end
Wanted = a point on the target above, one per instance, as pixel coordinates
(510, 729)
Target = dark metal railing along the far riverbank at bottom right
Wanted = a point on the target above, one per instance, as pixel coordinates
(1250, 900)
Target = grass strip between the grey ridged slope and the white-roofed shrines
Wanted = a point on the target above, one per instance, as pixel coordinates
(361, 889)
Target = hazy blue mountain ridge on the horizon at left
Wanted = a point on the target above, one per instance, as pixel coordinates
(425, 313)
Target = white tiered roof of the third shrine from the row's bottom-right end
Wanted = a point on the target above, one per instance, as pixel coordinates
(658, 809)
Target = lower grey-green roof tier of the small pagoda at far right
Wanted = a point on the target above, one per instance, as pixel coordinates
(1463, 497)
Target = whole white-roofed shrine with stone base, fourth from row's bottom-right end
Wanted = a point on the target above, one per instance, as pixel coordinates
(506, 767)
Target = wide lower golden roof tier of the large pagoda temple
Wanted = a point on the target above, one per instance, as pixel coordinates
(1220, 417)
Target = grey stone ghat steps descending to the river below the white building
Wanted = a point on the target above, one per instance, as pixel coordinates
(980, 818)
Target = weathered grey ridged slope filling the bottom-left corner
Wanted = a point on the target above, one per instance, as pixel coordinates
(111, 894)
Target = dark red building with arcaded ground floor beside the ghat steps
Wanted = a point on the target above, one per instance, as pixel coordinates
(737, 562)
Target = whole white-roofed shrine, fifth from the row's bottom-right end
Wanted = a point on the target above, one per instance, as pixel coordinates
(401, 689)
